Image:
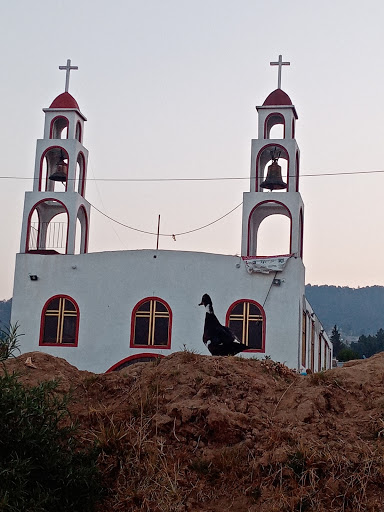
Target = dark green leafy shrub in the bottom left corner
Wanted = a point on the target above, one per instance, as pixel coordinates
(42, 467)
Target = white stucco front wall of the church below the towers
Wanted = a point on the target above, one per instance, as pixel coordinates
(108, 285)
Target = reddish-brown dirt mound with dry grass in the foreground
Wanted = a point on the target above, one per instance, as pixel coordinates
(201, 433)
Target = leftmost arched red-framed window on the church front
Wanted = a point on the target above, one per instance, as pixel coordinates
(60, 322)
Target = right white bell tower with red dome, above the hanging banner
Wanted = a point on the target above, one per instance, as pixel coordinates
(271, 193)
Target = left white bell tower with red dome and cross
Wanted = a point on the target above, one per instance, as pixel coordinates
(56, 214)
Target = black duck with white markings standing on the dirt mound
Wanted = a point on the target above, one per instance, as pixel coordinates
(219, 339)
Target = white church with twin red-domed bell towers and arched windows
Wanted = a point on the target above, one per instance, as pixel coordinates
(103, 311)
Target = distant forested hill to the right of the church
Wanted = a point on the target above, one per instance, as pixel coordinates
(355, 311)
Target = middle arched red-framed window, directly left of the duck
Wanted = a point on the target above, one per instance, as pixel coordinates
(151, 324)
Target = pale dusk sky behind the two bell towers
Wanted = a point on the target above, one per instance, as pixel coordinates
(169, 88)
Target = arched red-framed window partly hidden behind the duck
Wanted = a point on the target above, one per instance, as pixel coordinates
(246, 319)
